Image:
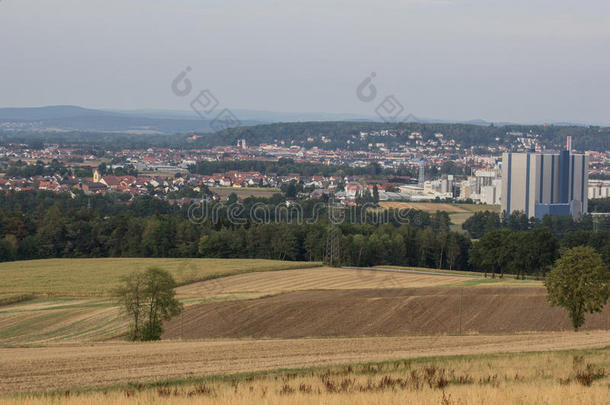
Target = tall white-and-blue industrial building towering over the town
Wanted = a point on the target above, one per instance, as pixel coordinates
(545, 183)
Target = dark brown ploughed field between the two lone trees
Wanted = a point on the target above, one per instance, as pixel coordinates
(376, 312)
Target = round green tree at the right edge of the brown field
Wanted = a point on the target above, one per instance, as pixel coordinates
(579, 282)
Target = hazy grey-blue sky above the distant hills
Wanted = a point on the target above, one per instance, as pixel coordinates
(500, 60)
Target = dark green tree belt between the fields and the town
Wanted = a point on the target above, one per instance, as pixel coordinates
(42, 224)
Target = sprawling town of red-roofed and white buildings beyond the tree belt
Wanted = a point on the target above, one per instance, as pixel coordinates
(438, 169)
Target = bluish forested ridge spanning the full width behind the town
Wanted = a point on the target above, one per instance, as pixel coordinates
(336, 134)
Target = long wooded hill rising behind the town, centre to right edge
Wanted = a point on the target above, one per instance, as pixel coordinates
(358, 135)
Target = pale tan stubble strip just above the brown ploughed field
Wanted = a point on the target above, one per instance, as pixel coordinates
(317, 278)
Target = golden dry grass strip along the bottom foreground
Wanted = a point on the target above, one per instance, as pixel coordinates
(579, 377)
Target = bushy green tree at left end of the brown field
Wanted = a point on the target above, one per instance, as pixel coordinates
(148, 298)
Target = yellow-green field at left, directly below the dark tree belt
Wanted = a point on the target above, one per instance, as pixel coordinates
(98, 277)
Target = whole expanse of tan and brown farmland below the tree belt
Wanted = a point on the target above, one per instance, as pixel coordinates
(283, 329)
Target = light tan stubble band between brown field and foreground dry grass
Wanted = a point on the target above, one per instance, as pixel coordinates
(63, 367)
